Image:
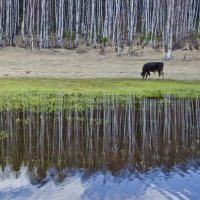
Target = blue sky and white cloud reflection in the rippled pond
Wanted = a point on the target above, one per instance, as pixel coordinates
(154, 184)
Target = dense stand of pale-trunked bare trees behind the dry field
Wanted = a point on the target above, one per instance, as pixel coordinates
(45, 23)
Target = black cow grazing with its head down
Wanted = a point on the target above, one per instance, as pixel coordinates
(152, 67)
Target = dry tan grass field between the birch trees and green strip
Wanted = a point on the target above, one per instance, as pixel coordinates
(62, 63)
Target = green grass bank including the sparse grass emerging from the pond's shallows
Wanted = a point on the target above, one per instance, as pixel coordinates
(39, 94)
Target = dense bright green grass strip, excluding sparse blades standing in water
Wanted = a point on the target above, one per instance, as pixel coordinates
(133, 87)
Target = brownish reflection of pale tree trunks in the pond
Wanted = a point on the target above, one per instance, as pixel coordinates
(138, 134)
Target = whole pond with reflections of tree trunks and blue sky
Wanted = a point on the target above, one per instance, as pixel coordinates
(110, 149)
